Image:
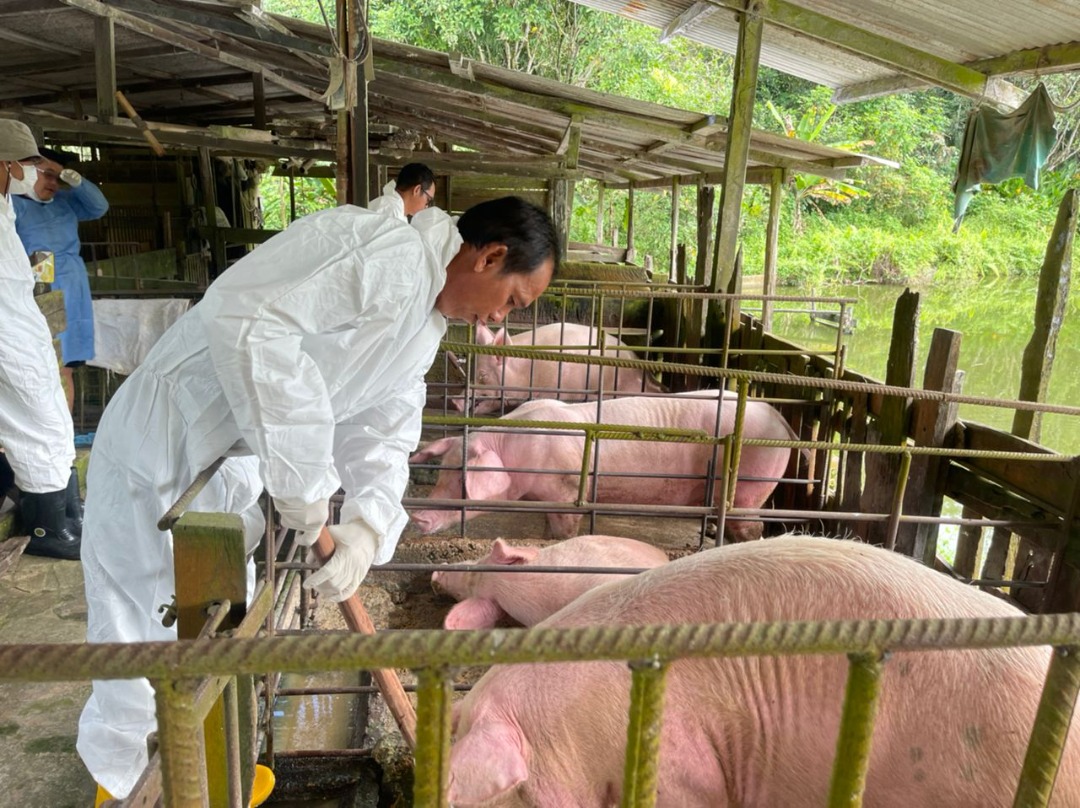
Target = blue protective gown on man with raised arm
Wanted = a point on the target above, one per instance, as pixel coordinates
(55, 226)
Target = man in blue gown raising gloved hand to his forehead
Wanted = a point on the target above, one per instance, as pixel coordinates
(47, 219)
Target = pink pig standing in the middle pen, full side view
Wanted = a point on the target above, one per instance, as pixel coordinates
(680, 468)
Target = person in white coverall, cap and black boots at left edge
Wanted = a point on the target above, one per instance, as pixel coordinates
(35, 423)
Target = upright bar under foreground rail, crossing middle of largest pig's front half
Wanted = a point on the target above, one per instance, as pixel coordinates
(649, 684)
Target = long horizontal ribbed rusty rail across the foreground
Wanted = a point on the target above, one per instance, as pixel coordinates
(417, 650)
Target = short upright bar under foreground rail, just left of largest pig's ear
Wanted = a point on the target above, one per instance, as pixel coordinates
(433, 738)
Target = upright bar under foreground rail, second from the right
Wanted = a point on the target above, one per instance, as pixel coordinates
(857, 728)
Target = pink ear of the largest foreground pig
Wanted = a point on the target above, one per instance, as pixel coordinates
(487, 763)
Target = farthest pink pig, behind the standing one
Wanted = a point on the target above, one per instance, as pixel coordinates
(512, 380)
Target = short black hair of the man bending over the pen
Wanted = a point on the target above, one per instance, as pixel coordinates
(525, 230)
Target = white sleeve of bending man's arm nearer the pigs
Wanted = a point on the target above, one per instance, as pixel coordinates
(372, 451)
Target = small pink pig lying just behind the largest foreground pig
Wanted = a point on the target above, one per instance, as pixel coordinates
(530, 598)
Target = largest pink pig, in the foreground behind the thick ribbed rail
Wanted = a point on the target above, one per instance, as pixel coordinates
(761, 732)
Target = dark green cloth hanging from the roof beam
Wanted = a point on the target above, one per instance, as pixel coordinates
(997, 147)
